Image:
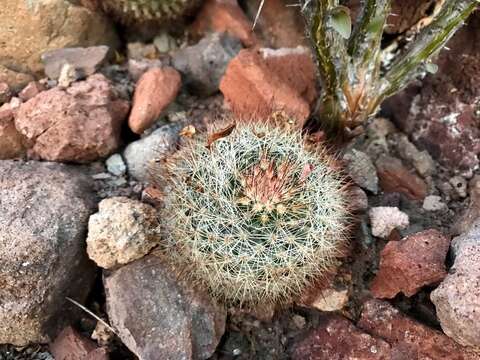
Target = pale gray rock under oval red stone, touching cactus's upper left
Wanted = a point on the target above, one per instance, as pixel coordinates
(139, 154)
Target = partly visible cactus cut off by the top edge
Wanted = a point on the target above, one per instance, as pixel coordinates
(146, 11)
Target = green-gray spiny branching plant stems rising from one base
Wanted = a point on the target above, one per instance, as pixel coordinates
(351, 69)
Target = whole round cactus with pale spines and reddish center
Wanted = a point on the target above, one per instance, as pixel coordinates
(254, 216)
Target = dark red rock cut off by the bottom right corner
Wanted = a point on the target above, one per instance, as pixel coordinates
(409, 339)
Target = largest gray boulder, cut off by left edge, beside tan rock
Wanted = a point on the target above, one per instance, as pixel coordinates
(44, 210)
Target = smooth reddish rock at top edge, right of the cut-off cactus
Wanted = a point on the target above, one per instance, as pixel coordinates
(225, 16)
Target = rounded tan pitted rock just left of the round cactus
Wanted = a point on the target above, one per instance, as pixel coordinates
(121, 231)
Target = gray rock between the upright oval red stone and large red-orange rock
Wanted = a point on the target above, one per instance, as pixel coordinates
(204, 64)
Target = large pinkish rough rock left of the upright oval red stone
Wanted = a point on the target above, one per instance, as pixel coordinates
(79, 124)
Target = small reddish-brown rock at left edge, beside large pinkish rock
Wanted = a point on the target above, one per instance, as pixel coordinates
(11, 145)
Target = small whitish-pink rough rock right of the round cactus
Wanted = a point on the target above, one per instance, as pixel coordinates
(384, 219)
